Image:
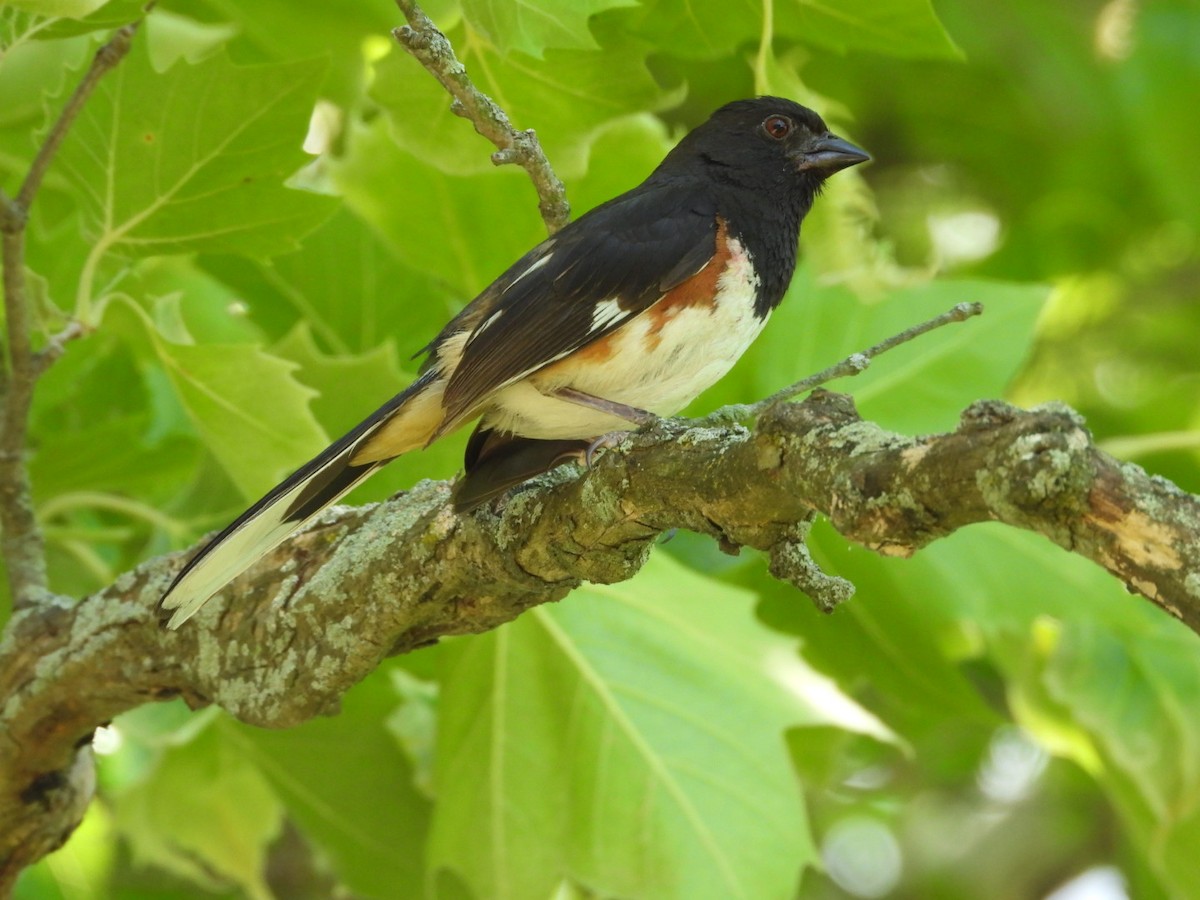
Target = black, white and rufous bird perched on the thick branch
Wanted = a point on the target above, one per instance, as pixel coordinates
(623, 316)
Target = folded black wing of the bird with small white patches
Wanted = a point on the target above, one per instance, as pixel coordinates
(578, 286)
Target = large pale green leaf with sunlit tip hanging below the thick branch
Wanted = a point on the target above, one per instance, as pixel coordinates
(629, 740)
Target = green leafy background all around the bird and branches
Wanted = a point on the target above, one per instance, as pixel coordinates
(991, 719)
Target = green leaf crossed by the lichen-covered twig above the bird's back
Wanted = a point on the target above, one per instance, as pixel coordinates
(568, 99)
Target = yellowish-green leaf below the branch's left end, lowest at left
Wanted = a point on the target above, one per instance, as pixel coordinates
(206, 814)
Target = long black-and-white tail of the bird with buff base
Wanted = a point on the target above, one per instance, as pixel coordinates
(403, 424)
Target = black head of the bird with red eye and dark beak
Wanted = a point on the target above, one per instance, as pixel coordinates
(765, 143)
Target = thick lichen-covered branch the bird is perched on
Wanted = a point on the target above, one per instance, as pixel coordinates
(320, 614)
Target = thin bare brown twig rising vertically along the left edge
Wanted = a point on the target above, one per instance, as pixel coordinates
(23, 547)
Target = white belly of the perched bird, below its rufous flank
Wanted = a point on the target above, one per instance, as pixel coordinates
(661, 374)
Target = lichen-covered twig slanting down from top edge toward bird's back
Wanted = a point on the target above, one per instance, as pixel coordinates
(431, 49)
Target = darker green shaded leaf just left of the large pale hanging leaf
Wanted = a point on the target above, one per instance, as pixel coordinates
(349, 788)
